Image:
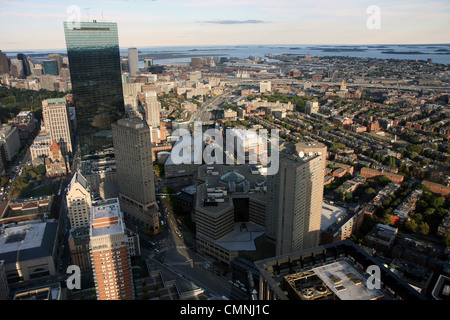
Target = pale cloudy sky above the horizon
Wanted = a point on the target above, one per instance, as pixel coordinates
(31, 24)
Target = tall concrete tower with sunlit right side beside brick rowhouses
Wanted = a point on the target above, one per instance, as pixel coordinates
(294, 198)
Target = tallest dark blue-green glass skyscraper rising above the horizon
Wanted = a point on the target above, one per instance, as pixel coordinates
(94, 63)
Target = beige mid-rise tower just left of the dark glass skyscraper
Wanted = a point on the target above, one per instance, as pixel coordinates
(55, 113)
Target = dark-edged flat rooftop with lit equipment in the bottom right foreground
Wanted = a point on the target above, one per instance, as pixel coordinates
(331, 272)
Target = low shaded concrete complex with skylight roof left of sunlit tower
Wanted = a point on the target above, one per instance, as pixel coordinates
(230, 210)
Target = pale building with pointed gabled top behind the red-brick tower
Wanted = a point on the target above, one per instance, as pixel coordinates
(78, 199)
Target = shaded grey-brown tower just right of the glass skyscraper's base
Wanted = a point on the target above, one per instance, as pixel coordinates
(134, 165)
